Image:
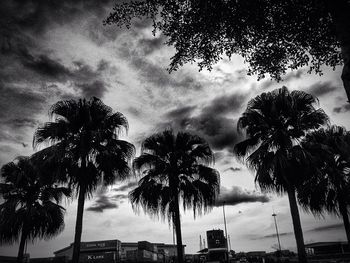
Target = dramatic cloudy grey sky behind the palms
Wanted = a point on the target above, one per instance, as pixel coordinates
(54, 50)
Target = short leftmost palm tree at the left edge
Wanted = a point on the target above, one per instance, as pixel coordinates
(31, 207)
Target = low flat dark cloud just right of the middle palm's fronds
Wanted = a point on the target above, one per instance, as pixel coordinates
(237, 195)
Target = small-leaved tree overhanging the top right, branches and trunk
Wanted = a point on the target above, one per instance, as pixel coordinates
(271, 36)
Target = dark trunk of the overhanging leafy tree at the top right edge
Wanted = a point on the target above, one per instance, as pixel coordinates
(340, 10)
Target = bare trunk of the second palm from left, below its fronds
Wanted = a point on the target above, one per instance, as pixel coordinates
(78, 225)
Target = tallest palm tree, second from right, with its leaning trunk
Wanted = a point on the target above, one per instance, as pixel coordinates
(275, 122)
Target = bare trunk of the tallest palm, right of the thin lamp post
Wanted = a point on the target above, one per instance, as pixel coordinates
(298, 232)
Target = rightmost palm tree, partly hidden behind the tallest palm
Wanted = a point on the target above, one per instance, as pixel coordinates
(328, 189)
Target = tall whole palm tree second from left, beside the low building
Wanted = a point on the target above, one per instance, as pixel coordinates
(85, 150)
